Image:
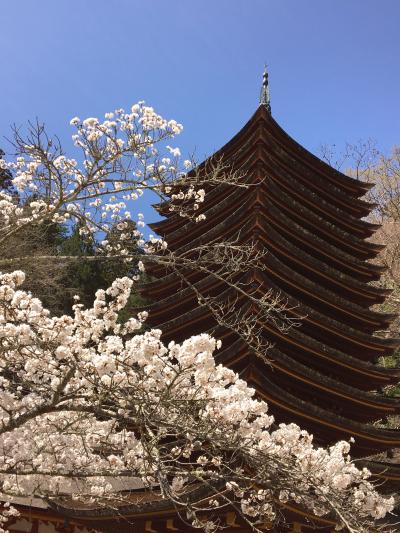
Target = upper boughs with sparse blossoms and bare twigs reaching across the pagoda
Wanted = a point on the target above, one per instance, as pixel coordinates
(123, 156)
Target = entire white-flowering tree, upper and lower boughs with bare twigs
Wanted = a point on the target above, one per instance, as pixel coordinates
(88, 402)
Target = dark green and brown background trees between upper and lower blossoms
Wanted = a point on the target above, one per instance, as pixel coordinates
(56, 280)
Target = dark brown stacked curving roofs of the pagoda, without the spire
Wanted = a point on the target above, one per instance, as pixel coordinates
(309, 218)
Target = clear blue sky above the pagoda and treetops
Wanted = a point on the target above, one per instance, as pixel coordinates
(334, 65)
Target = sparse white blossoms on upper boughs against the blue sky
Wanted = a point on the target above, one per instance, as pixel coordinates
(121, 157)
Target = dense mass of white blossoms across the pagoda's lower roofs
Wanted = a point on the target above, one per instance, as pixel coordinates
(87, 401)
